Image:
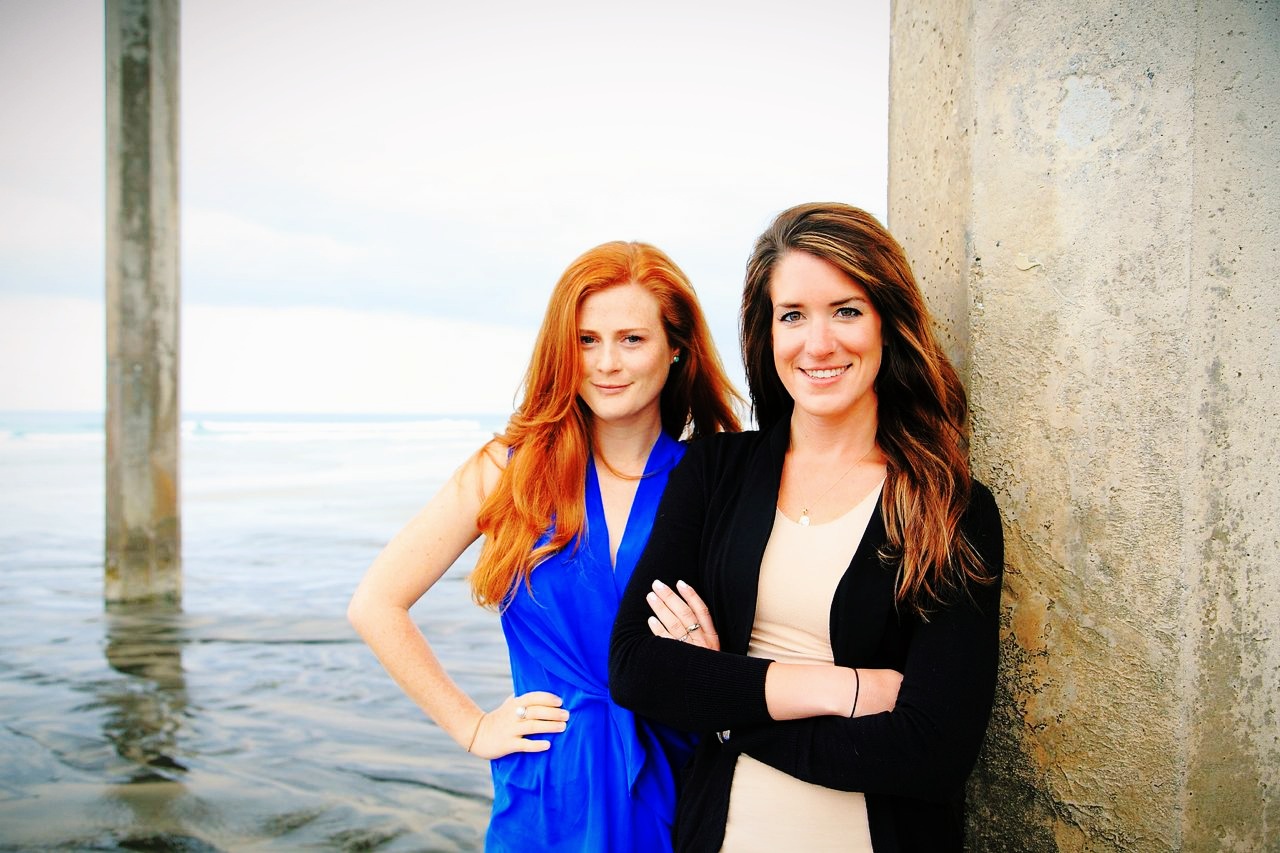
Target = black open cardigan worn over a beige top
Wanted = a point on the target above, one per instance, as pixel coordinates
(912, 764)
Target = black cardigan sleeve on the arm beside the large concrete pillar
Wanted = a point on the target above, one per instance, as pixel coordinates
(927, 746)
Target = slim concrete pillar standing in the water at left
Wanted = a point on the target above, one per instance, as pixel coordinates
(143, 416)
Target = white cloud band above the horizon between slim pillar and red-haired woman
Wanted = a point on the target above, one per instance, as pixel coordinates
(330, 361)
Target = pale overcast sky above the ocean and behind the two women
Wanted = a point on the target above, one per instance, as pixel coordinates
(380, 195)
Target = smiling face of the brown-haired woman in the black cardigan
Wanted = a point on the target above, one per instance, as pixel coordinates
(826, 339)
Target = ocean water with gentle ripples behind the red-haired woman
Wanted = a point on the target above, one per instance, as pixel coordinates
(254, 719)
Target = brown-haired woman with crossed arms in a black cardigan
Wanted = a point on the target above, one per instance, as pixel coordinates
(842, 542)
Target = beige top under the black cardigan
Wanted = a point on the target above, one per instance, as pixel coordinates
(769, 810)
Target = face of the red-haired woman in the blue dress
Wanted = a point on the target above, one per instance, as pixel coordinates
(625, 354)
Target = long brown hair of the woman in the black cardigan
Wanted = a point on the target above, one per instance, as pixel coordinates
(924, 413)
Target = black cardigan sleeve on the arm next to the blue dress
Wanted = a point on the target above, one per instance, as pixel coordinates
(683, 686)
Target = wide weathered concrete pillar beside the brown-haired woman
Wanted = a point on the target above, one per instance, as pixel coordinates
(1091, 197)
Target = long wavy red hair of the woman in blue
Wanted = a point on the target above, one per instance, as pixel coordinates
(550, 436)
